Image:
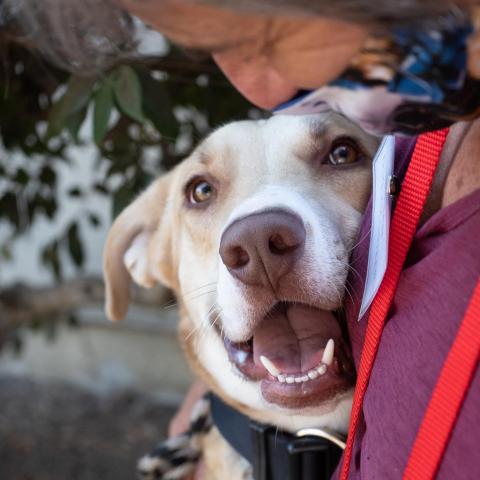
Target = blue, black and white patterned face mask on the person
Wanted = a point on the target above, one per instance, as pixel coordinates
(407, 82)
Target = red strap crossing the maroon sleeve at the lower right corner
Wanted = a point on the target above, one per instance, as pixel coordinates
(447, 398)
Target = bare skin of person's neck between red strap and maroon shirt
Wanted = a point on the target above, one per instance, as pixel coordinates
(458, 173)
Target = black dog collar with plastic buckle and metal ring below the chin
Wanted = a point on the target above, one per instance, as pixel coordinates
(311, 454)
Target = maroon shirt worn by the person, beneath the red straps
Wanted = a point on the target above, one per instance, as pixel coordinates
(435, 286)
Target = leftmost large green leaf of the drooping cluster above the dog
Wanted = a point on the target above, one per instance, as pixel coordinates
(76, 97)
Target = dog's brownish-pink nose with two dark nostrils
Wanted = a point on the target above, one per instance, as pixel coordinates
(262, 247)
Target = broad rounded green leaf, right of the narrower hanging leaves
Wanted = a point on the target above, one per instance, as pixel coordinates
(128, 93)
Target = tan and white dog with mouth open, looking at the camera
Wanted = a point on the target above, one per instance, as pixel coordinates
(253, 233)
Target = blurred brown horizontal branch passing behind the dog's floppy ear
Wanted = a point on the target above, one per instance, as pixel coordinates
(22, 305)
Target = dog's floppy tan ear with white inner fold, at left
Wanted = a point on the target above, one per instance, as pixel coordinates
(126, 253)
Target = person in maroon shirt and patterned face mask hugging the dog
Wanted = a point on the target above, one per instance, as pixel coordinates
(394, 67)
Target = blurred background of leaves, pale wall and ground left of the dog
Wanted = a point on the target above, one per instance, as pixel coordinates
(82, 398)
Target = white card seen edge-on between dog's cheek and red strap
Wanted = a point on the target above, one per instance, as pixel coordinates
(381, 207)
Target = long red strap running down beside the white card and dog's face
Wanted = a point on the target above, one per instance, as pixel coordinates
(415, 189)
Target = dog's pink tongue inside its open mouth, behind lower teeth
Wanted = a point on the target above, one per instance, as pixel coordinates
(294, 338)
